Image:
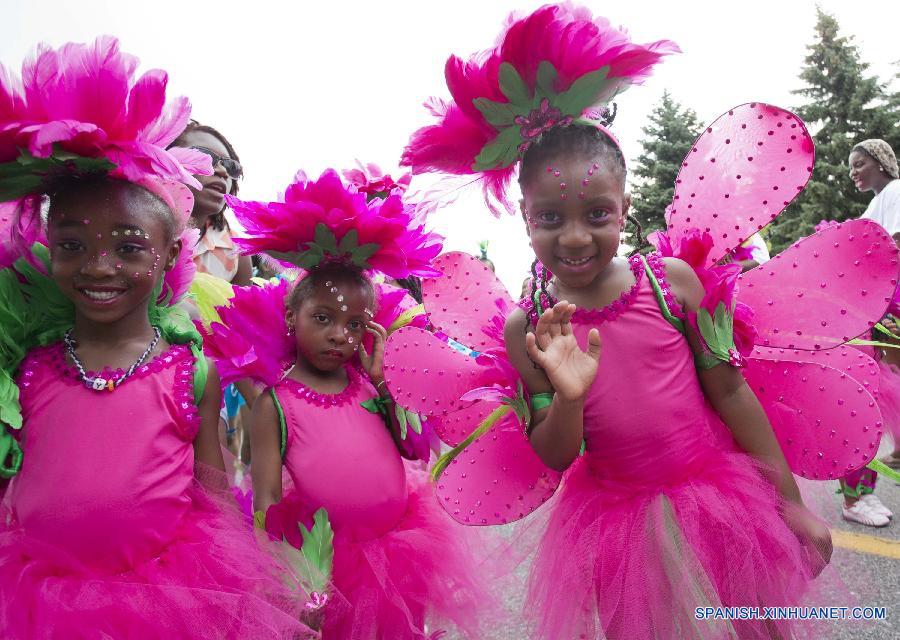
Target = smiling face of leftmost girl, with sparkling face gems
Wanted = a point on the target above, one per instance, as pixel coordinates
(110, 243)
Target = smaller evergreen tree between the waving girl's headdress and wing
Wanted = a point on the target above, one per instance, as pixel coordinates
(669, 136)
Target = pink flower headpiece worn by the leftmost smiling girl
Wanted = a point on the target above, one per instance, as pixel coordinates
(80, 109)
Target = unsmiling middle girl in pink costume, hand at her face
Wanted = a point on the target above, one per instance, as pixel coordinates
(396, 559)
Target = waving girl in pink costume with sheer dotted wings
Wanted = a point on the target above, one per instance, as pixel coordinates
(682, 498)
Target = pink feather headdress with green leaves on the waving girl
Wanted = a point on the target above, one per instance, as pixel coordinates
(555, 67)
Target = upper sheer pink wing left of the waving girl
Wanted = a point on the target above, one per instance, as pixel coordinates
(466, 301)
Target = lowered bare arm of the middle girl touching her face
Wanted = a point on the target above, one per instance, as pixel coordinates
(265, 442)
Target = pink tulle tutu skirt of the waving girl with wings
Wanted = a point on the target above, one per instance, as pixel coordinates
(635, 558)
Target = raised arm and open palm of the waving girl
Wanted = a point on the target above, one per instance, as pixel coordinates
(556, 432)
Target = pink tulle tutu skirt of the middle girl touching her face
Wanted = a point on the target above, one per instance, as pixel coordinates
(420, 575)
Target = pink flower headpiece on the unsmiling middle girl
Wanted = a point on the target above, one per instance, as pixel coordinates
(326, 221)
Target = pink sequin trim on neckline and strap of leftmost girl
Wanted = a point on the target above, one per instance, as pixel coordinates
(53, 358)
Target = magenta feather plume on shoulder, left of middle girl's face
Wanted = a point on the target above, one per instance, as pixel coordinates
(252, 339)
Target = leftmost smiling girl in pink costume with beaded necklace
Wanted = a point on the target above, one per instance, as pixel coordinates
(107, 531)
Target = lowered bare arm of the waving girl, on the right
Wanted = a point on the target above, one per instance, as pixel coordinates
(741, 411)
